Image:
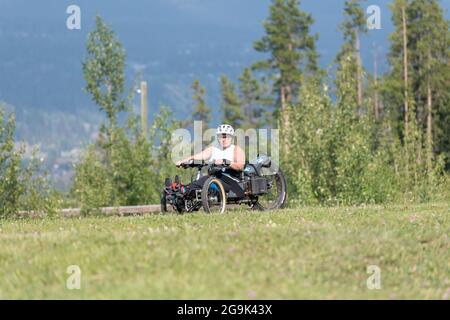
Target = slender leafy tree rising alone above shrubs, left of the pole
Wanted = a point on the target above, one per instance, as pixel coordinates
(104, 74)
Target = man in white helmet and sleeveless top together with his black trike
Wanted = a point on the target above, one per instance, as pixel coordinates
(230, 179)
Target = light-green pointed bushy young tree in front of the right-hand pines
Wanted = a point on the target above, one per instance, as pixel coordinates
(350, 145)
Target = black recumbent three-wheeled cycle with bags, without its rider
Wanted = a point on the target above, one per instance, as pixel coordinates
(262, 182)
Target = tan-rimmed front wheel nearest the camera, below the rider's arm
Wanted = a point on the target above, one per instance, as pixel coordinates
(213, 196)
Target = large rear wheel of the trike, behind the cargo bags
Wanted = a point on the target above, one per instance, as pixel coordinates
(276, 196)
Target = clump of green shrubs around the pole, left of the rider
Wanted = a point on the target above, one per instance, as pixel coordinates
(131, 171)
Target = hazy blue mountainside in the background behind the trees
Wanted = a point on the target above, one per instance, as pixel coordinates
(171, 41)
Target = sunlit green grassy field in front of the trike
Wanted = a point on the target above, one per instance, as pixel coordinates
(303, 253)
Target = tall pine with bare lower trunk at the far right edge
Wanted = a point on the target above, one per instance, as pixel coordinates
(430, 53)
